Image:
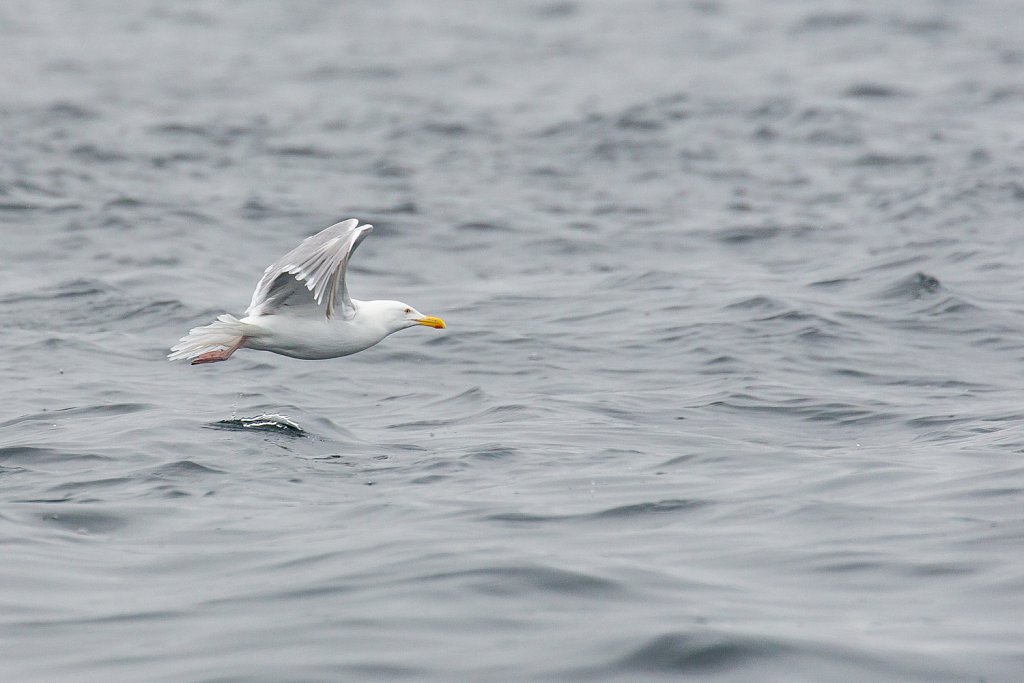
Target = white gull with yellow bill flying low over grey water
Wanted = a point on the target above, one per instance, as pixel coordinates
(302, 309)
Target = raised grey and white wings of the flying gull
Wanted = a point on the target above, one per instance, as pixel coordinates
(313, 274)
